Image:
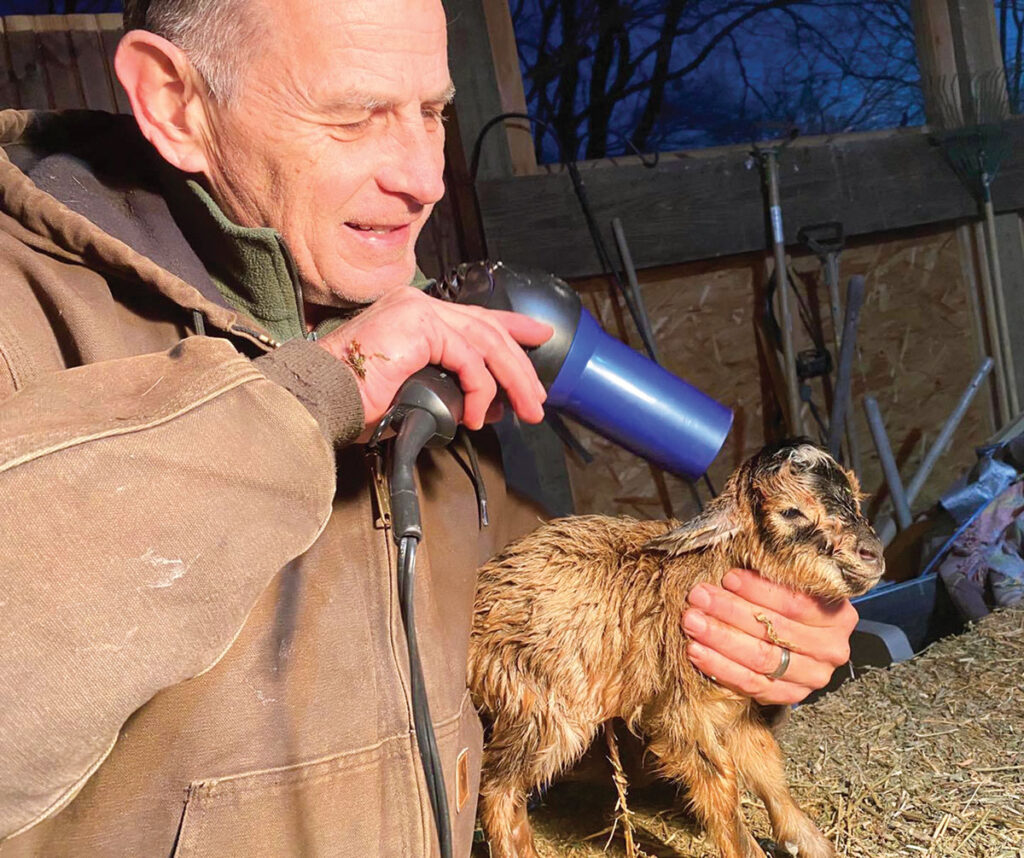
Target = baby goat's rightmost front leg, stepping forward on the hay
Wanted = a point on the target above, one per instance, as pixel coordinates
(760, 763)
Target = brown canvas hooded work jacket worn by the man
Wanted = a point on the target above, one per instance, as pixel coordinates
(201, 653)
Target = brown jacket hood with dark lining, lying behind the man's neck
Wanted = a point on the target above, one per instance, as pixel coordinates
(87, 187)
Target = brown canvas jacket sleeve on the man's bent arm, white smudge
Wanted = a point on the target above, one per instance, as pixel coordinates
(145, 504)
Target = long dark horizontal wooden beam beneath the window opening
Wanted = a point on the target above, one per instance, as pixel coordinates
(712, 205)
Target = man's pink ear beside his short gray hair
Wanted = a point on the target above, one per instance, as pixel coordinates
(167, 97)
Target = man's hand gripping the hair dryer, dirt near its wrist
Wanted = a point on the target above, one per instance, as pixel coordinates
(406, 330)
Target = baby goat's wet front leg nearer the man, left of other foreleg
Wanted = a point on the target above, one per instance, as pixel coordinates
(705, 766)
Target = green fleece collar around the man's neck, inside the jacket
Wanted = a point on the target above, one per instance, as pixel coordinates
(252, 267)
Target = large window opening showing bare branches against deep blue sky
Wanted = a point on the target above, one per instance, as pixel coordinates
(618, 76)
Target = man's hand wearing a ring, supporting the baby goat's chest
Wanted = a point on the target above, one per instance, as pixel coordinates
(731, 645)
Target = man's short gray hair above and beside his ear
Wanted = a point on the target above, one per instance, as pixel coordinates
(216, 35)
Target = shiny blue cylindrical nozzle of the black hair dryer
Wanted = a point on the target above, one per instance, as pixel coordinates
(623, 396)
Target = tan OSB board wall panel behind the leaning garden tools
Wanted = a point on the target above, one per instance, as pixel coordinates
(916, 354)
